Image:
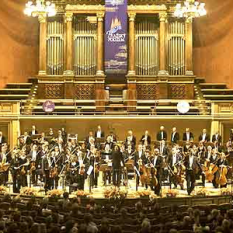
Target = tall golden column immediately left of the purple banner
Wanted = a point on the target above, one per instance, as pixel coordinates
(100, 41)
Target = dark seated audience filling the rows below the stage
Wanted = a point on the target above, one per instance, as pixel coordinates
(73, 216)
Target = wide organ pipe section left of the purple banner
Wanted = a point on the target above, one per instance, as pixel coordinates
(85, 50)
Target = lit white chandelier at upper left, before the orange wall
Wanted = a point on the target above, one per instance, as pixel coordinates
(40, 7)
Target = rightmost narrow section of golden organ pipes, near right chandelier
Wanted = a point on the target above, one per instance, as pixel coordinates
(176, 47)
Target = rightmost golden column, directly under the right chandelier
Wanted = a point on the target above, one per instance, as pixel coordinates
(189, 47)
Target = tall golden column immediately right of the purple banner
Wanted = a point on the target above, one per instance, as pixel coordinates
(131, 71)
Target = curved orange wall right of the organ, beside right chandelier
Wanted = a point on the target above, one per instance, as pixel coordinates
(213, 43)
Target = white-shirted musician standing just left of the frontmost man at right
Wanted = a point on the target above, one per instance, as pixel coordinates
(174, 161)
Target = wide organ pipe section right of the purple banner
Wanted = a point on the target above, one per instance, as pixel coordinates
(146, 46)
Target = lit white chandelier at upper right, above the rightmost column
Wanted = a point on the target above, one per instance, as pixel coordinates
(190, 9)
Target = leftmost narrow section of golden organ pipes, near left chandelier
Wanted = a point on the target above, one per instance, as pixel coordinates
(55, 46)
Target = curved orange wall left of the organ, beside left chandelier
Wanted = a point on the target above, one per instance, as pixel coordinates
(18, 44)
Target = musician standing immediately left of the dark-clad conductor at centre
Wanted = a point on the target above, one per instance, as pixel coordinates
(106, 157)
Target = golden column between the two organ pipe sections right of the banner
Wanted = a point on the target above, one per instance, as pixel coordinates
(162, 44)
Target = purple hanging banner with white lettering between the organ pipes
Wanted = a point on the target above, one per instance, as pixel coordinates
(116, 37)
